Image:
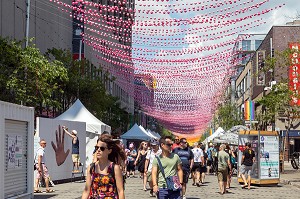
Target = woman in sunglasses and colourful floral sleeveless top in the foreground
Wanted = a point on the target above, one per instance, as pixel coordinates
(105, 180)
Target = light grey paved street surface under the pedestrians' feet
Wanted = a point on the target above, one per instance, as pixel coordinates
(133, 190)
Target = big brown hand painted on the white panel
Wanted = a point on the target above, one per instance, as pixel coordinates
(60, 153)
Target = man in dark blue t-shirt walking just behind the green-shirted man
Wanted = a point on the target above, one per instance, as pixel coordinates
(187, 158)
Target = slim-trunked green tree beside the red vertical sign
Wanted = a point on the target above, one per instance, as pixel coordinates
(277, 104)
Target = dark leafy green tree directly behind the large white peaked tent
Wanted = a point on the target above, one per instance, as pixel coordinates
(87, 84)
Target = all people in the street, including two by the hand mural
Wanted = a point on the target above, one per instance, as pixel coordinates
(164, 166)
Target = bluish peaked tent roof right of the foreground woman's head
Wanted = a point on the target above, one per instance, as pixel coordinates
(136, 133)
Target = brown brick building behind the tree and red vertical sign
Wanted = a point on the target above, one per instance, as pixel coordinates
(260, 83)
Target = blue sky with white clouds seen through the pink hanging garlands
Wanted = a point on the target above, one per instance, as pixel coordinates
(201, 82)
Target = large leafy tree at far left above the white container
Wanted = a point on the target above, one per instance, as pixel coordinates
(28, 77)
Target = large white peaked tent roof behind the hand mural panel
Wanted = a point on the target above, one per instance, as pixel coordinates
(78, 112)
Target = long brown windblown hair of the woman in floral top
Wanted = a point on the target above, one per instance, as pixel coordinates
(117, 153)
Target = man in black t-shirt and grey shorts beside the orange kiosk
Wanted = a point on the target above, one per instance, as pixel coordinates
(247, 161)
